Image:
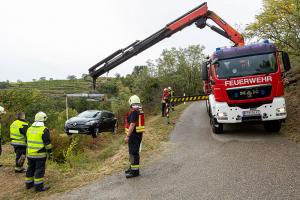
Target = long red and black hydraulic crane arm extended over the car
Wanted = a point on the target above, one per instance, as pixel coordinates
(198, 15)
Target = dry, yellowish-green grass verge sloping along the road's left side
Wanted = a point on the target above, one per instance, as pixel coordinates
(103, 156)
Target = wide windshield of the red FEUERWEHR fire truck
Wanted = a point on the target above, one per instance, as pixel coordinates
(246, 66)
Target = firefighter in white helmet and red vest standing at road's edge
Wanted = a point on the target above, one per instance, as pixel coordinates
(134, 129)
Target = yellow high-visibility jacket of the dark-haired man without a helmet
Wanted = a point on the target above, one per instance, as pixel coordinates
(17, 138)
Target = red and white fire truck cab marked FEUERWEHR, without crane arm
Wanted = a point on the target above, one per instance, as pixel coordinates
(244, 84)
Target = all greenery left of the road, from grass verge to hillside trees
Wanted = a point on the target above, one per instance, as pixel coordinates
(79, 159)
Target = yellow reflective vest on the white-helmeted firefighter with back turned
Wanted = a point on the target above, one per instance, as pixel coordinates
(35, 144)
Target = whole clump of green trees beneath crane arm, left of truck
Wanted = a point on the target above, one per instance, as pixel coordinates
(178, 68)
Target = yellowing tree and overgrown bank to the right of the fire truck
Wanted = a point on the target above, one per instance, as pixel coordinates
(279, 21)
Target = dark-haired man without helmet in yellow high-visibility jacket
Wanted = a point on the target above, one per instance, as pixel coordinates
(18, 131)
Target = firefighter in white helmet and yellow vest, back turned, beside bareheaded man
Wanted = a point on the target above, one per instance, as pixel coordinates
(38, 149)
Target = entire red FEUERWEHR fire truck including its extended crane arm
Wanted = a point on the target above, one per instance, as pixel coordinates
(243, 83)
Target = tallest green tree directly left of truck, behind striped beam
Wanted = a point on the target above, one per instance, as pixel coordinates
(180, 68)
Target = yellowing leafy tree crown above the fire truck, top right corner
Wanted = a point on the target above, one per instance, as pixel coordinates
(280, 22)
